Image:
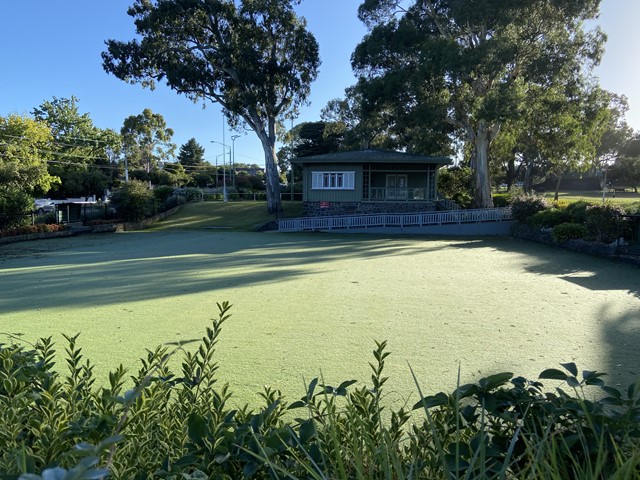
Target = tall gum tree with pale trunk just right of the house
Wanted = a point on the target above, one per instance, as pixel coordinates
(473, 60)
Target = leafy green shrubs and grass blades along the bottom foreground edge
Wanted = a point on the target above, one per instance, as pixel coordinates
(56, 422)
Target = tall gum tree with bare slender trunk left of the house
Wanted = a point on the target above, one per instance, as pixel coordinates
(253, 57)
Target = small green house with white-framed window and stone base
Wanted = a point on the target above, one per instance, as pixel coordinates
(369, 181)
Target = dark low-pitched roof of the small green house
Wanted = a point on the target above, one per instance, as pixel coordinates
(371, 156)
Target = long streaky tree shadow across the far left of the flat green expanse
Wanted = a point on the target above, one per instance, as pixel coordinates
(100, 270)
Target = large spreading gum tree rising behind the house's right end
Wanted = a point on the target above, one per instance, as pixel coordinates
(461, 63)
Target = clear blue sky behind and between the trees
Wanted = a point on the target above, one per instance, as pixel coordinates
(52, 49)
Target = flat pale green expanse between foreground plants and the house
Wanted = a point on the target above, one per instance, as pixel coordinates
(305, 303)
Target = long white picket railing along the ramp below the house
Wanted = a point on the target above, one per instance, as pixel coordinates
(394, 220)
